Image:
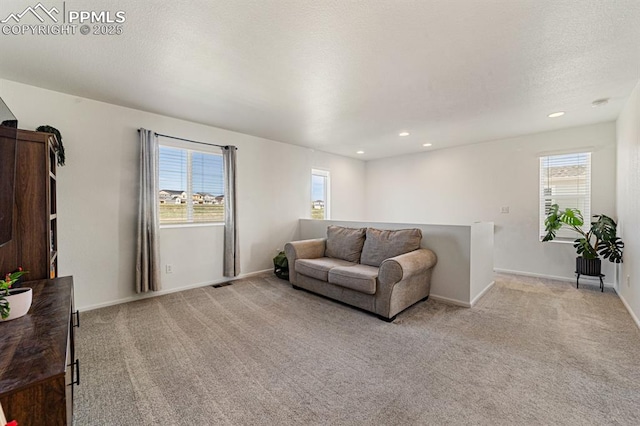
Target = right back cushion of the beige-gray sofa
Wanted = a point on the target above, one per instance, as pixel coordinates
(382, 244)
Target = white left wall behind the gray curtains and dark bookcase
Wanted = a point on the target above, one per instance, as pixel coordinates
(97, 194)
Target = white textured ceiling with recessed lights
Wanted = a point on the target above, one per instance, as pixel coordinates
(342, 76)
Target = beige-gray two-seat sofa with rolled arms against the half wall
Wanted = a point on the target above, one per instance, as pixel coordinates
(380, 271)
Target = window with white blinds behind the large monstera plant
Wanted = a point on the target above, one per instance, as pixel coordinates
(565, 180)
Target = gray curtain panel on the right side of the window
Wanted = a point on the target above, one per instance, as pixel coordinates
(231, 241)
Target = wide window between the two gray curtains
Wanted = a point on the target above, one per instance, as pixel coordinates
(191, 186)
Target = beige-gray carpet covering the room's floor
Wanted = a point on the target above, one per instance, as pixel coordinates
(257, 352)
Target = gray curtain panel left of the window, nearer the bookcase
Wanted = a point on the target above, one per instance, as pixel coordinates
(148, 252)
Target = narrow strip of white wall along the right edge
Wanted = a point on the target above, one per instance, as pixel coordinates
(628, 191)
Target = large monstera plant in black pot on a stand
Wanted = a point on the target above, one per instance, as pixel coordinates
(599, 241)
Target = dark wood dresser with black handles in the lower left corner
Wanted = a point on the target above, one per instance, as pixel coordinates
(38, 365)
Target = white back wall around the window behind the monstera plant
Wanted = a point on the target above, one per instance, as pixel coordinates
(471, 183)
